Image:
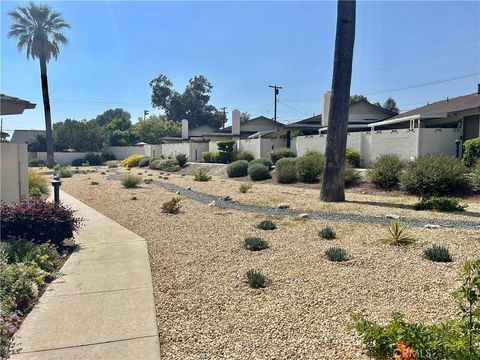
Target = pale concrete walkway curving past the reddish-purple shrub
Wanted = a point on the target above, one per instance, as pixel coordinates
(102, 306)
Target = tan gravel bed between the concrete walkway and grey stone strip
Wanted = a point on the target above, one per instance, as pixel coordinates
(206, 310)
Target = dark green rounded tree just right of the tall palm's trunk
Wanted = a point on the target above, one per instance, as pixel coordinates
(80, 136)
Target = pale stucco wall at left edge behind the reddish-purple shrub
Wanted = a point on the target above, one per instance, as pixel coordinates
(14, 176)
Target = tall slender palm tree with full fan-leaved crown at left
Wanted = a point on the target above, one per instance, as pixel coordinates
(38, 29)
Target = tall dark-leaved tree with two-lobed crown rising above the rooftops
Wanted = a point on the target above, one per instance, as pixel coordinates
(192, 104)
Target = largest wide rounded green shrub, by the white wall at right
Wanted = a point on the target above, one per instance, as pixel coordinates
(434, 175)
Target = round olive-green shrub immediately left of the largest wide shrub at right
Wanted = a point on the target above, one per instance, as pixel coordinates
(385, 171)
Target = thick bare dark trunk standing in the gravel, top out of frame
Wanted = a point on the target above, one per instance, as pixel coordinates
(333, 180)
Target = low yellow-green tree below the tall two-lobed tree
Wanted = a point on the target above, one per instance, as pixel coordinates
(155, 127)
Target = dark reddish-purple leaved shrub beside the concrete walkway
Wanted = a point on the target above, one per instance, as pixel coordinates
(38, 221)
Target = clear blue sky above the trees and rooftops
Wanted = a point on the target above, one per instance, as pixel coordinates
(116, 48)
